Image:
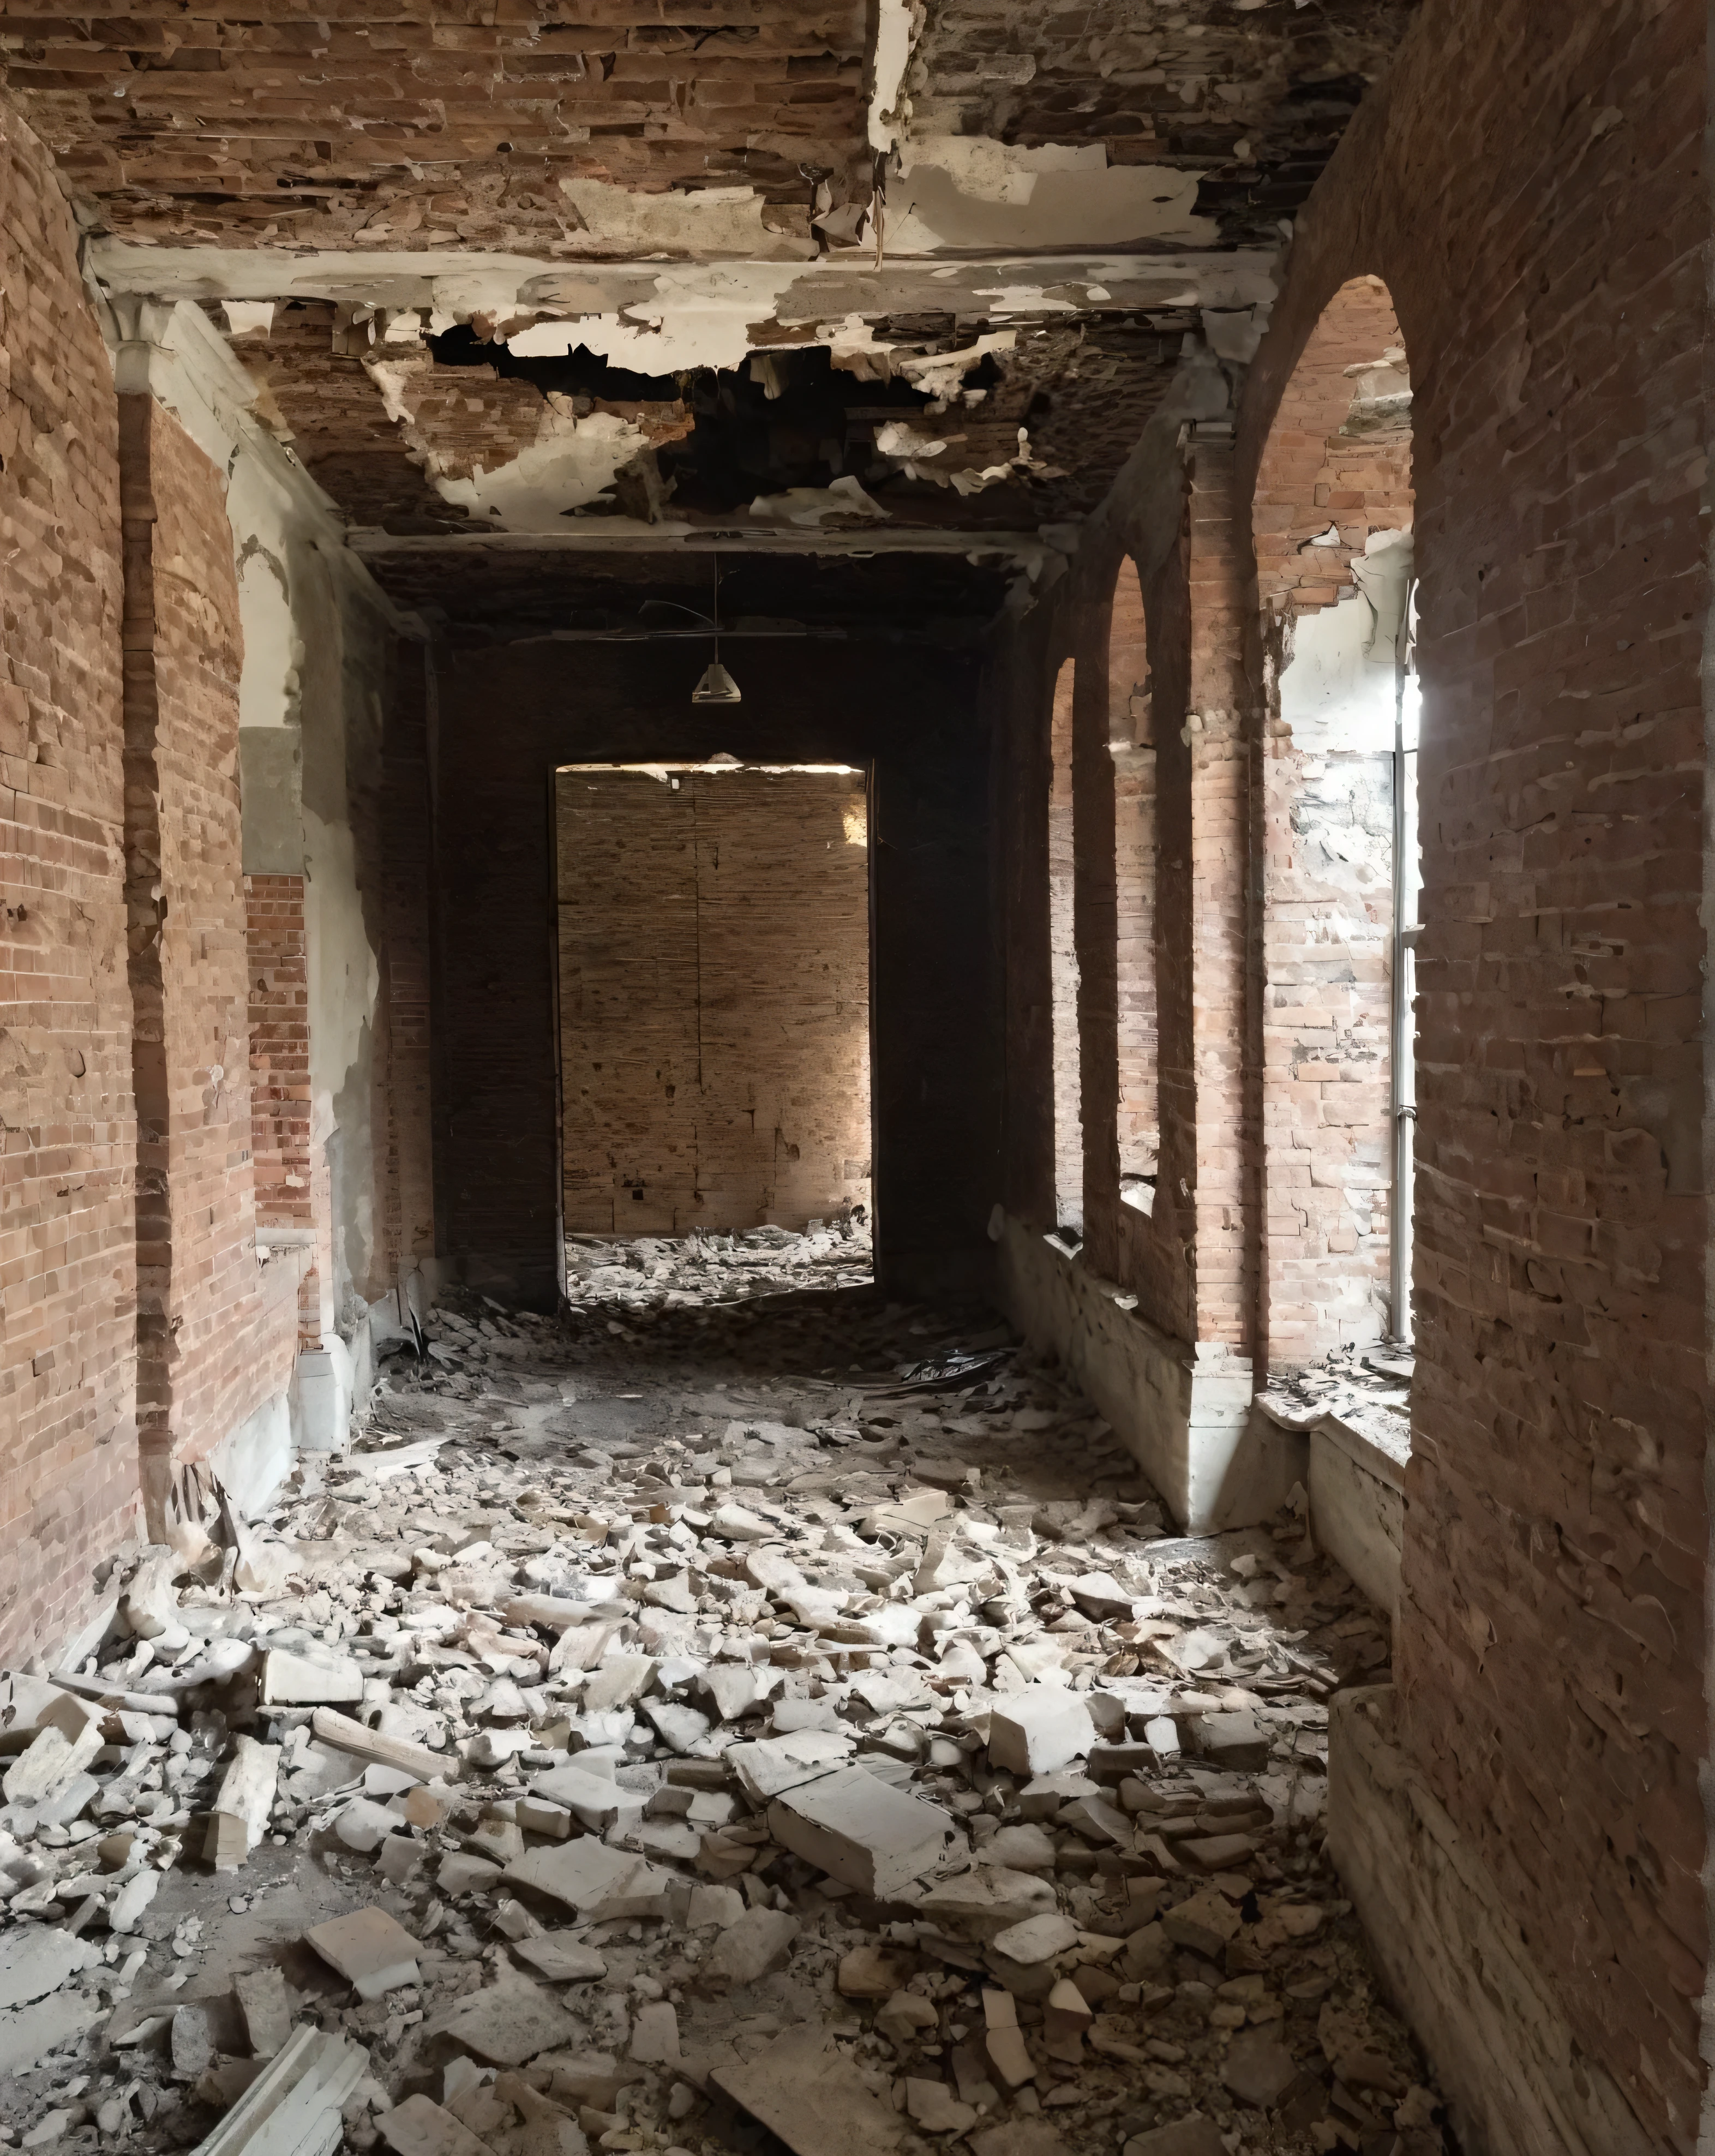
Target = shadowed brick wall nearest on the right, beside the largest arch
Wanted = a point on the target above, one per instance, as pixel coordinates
(1529, 186)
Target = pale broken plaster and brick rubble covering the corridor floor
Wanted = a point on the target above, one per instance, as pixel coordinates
(701, 1726)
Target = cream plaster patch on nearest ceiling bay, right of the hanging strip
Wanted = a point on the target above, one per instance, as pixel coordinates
(977, 193)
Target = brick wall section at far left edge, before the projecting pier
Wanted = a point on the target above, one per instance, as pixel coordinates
(68, 1456)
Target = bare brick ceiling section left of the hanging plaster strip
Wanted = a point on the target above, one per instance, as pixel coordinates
(430, 126)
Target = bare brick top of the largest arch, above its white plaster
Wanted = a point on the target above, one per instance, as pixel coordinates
(1322, 469)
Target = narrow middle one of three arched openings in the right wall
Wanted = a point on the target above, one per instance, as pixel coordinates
(1132, 747)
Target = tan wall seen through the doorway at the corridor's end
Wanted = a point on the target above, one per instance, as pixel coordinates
(714, 999)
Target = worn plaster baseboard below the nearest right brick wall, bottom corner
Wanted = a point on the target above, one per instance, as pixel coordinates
(1455, 1963)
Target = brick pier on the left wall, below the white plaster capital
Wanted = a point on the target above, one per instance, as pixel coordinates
(214, 1342)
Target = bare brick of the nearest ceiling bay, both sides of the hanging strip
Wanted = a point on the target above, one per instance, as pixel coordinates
(372, 124)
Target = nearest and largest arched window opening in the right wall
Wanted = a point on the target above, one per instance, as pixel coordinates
(1333, 525)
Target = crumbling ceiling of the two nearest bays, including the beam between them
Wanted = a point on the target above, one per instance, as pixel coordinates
(591, 275)
